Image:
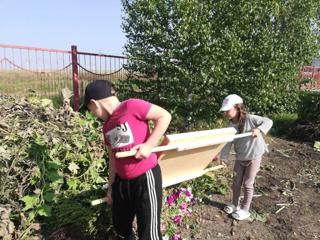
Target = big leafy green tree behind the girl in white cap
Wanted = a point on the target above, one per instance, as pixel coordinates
(196, 52)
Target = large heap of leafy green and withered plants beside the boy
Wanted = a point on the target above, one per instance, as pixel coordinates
(52, 164)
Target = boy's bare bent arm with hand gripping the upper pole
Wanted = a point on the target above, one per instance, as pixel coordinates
(161, 119)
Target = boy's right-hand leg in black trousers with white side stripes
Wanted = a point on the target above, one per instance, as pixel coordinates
(149, 205)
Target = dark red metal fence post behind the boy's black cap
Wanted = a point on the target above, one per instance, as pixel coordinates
(75, 77)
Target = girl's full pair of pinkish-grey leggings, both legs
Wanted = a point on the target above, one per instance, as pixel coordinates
(244, 174)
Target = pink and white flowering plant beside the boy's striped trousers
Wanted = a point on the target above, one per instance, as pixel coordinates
(177, 212)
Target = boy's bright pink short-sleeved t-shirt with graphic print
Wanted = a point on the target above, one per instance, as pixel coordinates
(125, 128)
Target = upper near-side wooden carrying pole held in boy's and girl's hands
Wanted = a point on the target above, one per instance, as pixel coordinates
(183, 147)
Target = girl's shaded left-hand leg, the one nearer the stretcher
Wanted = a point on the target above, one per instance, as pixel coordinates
(238, 172)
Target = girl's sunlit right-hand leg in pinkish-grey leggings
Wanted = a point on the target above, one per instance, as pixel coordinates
(248, 181)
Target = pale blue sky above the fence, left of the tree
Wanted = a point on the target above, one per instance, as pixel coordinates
(94, 26)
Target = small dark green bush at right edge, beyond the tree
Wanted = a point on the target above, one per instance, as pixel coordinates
(309, 107)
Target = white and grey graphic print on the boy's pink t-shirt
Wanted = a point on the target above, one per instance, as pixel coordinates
(120, 136)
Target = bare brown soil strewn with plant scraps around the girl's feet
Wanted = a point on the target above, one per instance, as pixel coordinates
(288, 201)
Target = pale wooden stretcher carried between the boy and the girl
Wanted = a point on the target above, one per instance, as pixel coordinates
(185, 156)
